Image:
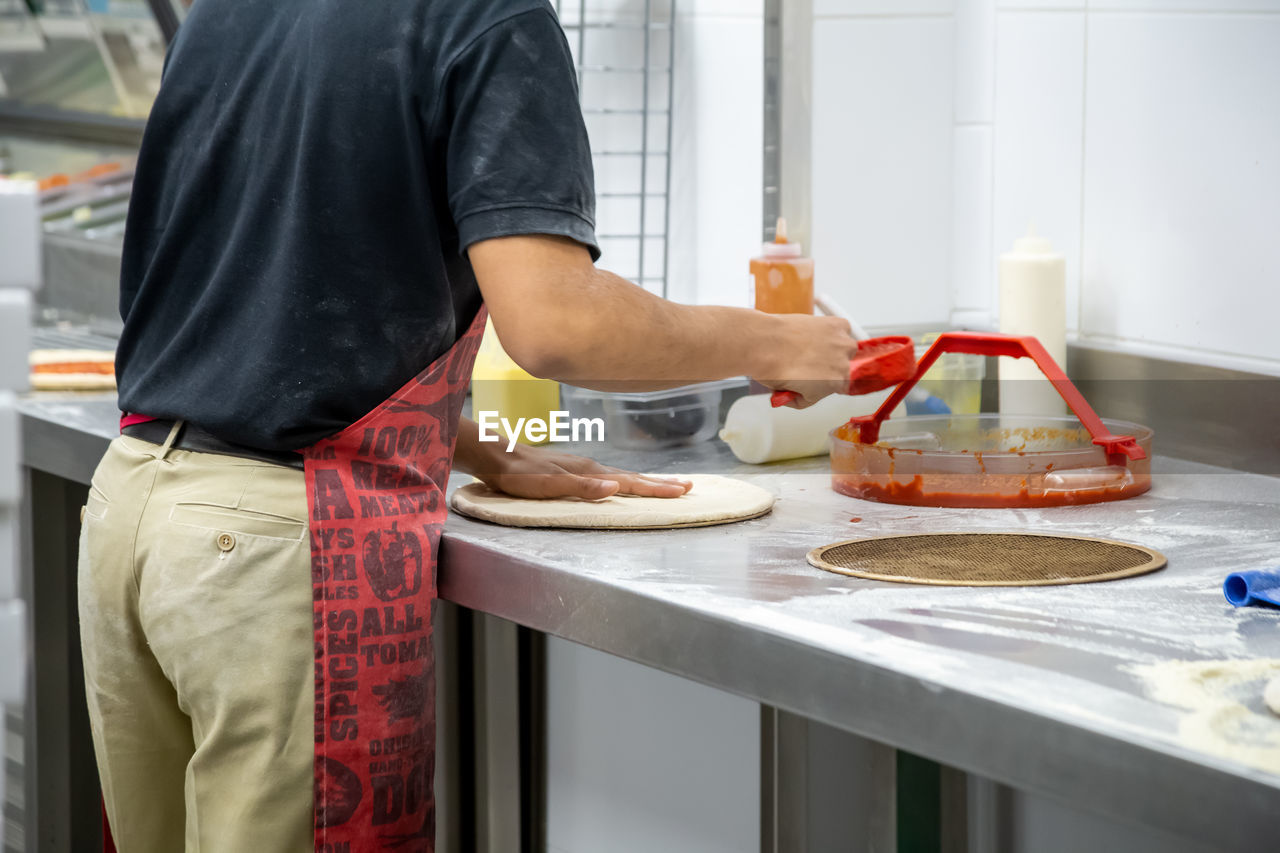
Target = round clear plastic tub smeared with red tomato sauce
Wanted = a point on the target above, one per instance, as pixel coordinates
(988, 462)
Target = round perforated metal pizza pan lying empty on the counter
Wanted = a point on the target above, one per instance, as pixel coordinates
(988, 559)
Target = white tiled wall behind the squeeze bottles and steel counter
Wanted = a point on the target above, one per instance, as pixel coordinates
(1141, 136)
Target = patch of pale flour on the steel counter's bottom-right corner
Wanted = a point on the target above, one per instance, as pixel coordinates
(1224, 701)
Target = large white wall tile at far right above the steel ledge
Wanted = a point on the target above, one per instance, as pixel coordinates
(1183, 183)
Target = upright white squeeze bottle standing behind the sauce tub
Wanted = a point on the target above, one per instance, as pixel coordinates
(1032, 302)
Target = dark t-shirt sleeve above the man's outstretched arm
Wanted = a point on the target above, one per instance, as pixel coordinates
(519, 159)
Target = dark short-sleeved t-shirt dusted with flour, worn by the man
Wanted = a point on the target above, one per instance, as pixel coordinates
(310, 176)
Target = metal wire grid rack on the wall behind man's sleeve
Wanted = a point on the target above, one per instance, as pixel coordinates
(624, 53)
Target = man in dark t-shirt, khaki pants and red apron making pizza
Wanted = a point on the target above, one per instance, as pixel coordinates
(327, 199)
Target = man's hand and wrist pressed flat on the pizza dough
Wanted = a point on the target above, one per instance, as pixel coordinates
(533, 473)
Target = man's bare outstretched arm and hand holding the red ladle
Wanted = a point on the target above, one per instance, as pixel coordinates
(560, 317)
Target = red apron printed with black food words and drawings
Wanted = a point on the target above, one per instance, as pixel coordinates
(377, 498)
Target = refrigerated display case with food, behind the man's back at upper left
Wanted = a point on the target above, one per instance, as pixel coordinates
(77, 79)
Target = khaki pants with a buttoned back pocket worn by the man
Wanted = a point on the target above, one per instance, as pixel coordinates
(195, 606)
